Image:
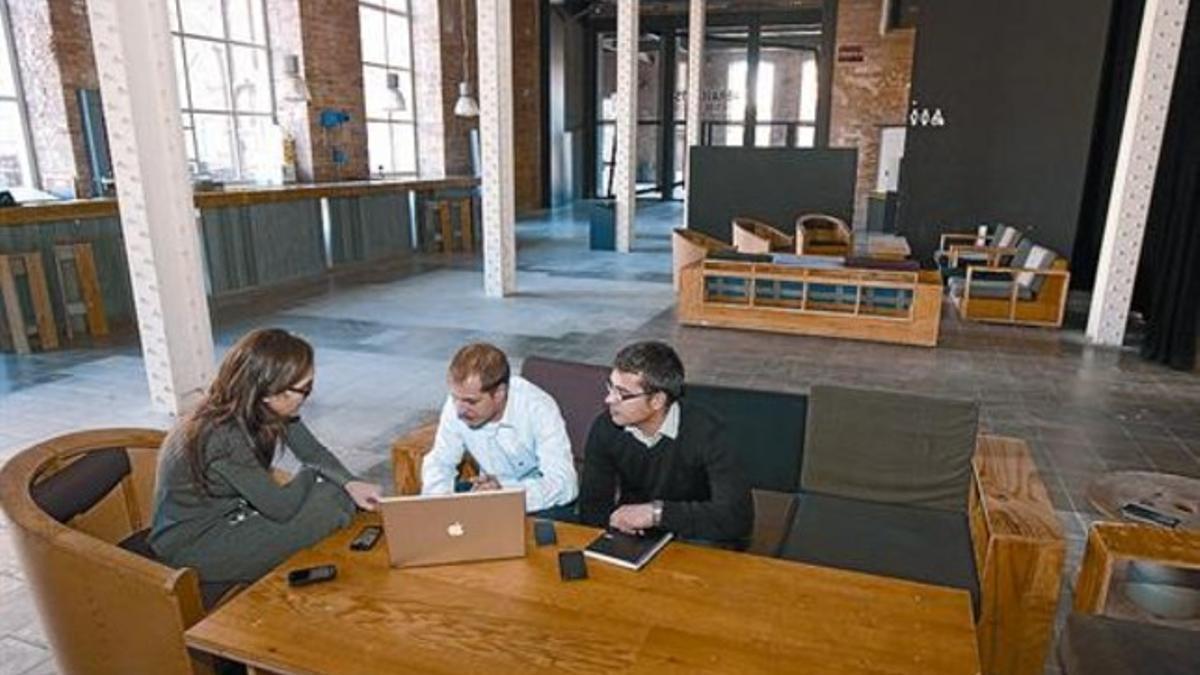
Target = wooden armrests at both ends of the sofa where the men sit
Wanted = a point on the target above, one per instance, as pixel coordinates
(1017, 539)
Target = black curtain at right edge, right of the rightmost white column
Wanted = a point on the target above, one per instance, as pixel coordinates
(1169, 274)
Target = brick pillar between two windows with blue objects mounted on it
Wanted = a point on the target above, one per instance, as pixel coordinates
(333, 68)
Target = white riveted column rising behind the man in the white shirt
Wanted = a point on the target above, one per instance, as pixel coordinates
(494, 22)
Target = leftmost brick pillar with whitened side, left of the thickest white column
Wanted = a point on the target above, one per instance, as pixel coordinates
(53, 45)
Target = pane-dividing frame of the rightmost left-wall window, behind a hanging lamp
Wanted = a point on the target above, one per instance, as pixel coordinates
(410, 73)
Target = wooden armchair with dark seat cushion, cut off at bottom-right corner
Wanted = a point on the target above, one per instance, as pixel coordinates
(1106, 635)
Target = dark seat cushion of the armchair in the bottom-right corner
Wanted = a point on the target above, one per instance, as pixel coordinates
(1102, 646)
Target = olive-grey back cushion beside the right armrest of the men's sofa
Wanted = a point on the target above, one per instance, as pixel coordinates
(890, 447)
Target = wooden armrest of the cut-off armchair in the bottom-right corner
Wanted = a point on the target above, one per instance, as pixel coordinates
(1109, 543)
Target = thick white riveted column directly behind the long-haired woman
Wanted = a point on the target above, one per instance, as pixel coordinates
(146, 138)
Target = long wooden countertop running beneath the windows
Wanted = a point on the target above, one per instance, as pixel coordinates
(236, 198)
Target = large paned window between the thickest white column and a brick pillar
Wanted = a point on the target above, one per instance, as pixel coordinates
(224, 67)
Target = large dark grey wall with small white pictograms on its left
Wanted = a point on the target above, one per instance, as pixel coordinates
(1018, 82)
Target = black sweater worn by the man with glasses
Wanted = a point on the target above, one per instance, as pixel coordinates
(697, 475)
